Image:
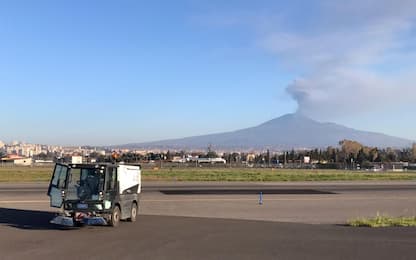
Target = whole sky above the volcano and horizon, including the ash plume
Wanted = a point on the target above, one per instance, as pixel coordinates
(114, 72)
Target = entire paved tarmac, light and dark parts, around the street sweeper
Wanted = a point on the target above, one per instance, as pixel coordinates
(220, 221)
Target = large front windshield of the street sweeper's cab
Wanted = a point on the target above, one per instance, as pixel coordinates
(84, 184)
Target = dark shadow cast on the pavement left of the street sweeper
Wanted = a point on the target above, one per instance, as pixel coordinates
(27, 219)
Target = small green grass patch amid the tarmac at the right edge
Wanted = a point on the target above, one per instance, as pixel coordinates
(383, 221)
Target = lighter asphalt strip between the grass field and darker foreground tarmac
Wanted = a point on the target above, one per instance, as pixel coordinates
(307, 202)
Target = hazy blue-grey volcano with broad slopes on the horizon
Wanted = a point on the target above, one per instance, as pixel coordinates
(291, 131)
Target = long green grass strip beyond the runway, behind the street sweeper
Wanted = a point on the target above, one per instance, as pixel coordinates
(42, 174)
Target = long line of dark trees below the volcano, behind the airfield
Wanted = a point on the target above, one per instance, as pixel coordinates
(347, 153)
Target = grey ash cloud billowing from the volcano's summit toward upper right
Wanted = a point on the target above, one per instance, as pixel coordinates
(355, 57)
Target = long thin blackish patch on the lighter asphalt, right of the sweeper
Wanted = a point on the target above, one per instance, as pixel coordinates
(243, 192)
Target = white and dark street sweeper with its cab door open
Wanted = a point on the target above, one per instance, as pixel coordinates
(95, 194)
